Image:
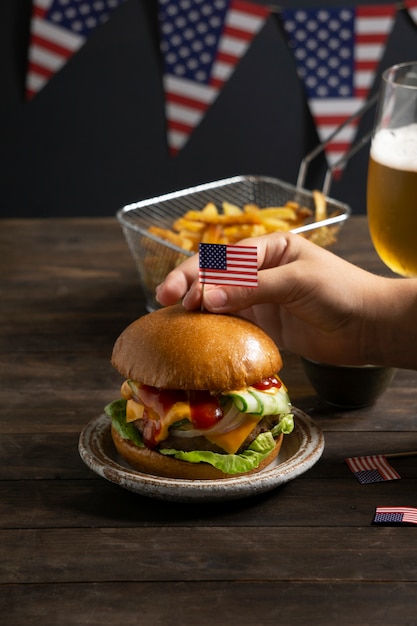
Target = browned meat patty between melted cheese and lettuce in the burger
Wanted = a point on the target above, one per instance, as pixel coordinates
(188, 444)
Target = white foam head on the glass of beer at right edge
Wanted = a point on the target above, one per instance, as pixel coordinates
(396, 148)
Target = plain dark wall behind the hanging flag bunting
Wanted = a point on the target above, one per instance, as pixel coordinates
(94, 138)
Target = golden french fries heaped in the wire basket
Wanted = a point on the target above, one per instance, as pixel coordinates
(232, 223)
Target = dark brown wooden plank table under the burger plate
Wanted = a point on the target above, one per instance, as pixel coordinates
(76, 549)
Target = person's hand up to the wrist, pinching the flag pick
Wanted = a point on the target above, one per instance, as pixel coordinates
(309, 300)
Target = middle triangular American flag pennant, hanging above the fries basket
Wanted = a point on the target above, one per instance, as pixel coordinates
(201, 43)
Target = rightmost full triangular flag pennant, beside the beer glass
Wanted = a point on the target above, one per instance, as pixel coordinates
(337, 52)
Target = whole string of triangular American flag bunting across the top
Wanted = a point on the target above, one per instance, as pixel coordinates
(337, 52)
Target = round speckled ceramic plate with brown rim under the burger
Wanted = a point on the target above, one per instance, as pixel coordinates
(299, 452)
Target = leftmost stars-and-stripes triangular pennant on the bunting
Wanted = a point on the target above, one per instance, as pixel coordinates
(58, 29)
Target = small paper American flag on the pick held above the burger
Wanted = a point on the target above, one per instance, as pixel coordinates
(222, 264)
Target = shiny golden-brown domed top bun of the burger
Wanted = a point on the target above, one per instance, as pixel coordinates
(172, 348)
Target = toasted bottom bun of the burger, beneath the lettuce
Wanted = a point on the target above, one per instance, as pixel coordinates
(151, 462)
